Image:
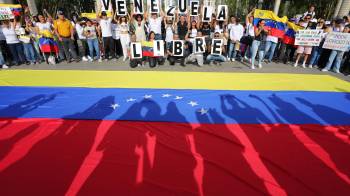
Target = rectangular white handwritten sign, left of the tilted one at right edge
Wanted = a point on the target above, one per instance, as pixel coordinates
(308, 37)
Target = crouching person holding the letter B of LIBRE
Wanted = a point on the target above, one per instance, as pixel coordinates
(176, 51)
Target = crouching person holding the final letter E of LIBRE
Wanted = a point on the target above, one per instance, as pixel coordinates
(217, 48)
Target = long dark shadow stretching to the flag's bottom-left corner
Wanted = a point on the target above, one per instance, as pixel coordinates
(50, 166)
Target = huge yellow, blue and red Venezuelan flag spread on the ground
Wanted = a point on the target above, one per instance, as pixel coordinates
(169, 133)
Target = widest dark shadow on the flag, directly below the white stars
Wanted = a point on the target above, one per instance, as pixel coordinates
(165, 168)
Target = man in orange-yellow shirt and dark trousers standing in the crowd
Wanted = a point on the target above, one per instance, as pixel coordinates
(65, 33)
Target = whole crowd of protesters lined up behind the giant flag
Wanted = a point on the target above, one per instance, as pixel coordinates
(41, 38)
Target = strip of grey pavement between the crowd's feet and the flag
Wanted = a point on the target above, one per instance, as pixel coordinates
(244, 67)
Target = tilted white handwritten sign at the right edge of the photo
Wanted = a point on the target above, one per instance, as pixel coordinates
(337, 41)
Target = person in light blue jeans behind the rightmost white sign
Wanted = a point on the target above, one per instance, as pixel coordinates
(336, 56)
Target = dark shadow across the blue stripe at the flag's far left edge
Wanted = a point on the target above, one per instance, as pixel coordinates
(17, 110)
